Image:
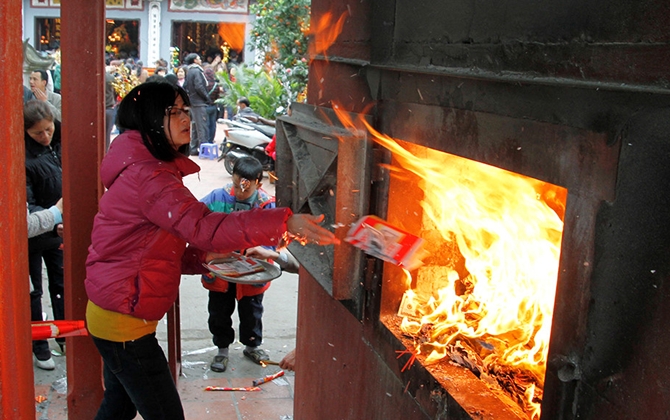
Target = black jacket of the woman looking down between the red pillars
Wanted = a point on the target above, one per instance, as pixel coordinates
(44, 179)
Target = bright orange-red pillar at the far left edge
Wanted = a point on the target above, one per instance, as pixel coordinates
(17, 389)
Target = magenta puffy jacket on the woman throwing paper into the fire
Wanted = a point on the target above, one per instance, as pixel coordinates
(138, 246)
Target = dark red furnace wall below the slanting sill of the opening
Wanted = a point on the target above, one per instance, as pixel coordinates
(335, 359)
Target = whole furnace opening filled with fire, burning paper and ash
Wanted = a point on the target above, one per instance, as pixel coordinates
(484, 296)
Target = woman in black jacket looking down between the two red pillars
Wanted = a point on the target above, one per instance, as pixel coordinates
(44, 188)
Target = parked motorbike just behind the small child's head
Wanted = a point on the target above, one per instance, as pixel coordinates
(245, 138)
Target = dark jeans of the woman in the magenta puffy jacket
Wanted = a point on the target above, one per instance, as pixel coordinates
(137, 378)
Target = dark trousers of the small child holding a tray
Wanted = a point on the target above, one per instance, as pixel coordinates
(250, 310)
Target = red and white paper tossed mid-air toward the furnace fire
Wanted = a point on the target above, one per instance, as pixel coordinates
(378, 238)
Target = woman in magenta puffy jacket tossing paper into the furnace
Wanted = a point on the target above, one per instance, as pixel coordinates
(139, 248)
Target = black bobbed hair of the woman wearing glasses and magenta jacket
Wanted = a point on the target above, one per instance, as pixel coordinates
(144, 108)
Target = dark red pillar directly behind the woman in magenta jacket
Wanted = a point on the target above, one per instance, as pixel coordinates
(83, 131)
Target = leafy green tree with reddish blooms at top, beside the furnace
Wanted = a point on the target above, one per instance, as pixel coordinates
(279, 37)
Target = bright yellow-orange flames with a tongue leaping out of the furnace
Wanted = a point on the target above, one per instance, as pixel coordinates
(508, 229)
